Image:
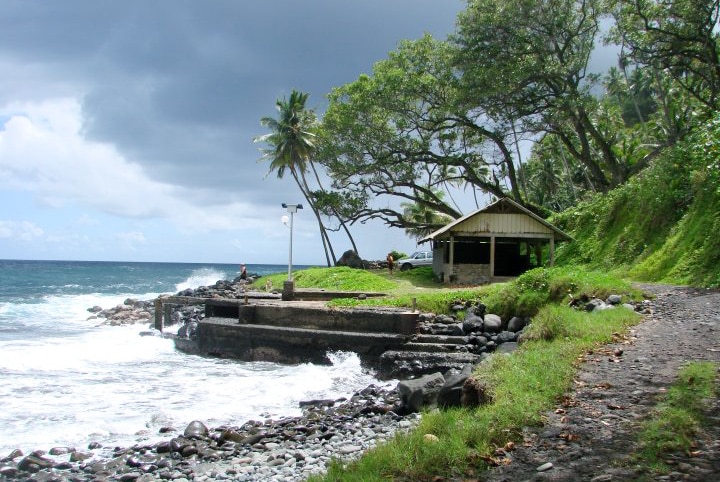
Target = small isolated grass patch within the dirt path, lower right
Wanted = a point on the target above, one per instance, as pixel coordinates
(678, 419)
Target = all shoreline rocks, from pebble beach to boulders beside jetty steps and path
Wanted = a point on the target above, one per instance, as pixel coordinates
(289, 448)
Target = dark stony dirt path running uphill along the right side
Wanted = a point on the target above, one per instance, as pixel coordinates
(589, 437)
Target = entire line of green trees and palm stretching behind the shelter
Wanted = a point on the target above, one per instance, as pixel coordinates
(505, 106)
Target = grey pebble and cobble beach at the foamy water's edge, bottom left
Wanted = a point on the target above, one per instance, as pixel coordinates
(290, 448)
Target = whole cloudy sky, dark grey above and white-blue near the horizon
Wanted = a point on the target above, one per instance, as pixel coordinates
(126, 127)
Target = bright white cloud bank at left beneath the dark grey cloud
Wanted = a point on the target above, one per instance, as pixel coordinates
(43, 152)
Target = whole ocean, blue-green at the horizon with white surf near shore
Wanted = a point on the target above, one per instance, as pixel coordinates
(65, 381)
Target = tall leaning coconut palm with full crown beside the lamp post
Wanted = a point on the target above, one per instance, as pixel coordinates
(291, 142)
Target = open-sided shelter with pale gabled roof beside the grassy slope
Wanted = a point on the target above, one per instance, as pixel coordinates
(499, 241)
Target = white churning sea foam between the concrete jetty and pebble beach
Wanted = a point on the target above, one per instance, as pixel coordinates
(109, 384)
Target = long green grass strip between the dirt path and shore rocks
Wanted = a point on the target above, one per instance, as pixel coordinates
(523, 386)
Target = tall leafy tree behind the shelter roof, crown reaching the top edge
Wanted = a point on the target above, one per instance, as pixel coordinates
(527, 61)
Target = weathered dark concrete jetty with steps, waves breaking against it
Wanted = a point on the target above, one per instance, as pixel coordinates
(264, 328)
